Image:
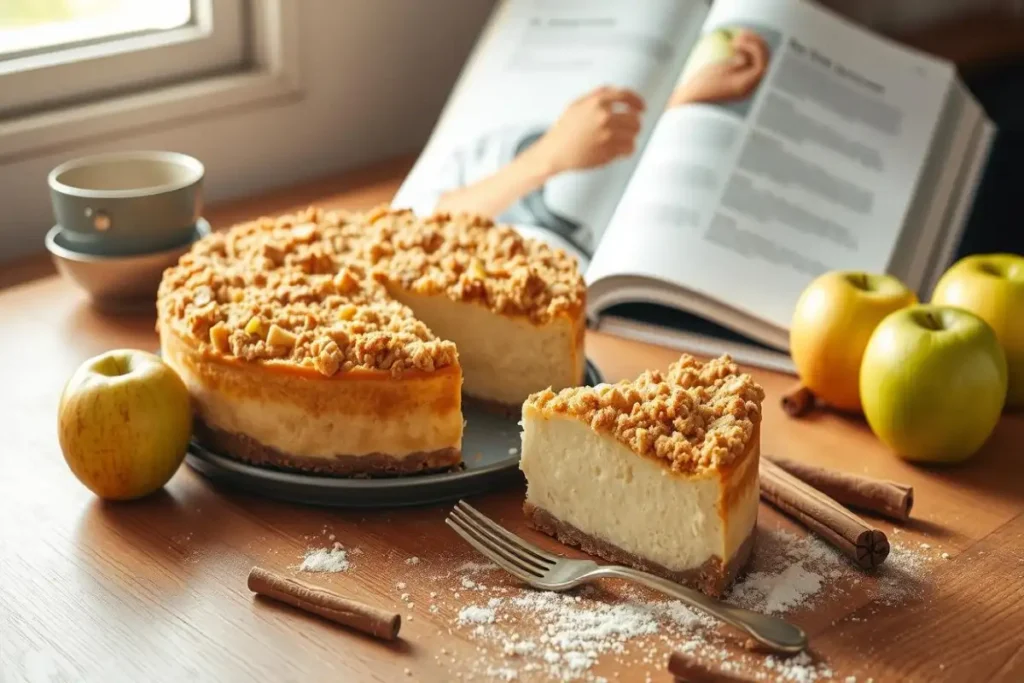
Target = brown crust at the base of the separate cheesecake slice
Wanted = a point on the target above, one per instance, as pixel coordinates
(712, 578)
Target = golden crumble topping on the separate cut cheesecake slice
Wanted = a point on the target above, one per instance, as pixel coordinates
(696, 417)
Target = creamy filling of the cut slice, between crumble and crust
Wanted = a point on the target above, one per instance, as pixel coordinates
(600, 487)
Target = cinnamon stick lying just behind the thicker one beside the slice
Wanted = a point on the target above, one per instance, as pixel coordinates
(887, 498)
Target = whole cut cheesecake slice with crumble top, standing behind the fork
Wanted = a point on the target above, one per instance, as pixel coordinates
(660, 474)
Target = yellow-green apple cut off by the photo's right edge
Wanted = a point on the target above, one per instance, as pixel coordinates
(992, 286)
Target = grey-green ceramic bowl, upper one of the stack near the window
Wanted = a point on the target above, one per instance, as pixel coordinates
(127, 202)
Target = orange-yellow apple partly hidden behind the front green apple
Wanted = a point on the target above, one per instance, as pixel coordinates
(834, 320)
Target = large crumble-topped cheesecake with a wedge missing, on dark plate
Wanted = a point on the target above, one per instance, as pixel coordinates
(343, 344)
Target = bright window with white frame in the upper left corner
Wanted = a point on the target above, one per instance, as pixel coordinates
(72, 71)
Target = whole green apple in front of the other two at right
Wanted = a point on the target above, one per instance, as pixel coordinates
(933, 382)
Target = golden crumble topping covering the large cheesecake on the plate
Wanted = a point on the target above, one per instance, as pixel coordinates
(312, 288)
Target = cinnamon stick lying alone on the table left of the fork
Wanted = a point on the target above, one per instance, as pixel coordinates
(326, 604)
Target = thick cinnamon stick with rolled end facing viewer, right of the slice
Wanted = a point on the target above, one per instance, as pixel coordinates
(867, 546)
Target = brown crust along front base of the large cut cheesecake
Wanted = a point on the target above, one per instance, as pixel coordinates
(372, 465)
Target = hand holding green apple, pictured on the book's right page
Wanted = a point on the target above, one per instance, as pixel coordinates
(735, 78)
